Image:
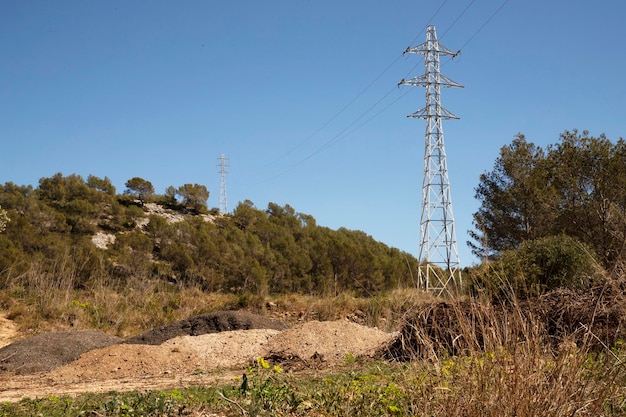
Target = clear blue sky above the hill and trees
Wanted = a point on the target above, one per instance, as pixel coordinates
(161, 89)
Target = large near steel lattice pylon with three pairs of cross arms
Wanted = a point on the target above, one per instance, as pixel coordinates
(440, 267)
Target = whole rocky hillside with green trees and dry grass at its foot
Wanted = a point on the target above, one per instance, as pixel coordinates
(75, 248)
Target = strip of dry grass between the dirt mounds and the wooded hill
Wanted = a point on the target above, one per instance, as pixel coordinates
(45, 298)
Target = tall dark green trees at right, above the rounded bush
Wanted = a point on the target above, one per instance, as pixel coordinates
(575, 188)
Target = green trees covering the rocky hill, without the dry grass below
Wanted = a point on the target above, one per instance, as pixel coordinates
(275, 250)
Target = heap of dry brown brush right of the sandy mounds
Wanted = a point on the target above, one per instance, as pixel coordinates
(595, 319)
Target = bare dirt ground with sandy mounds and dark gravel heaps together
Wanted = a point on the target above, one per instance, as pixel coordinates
(207, 349)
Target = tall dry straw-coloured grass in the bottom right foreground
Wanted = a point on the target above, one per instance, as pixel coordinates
(522, 382)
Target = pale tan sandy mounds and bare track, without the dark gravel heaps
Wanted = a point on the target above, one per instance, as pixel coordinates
(187, 360)
